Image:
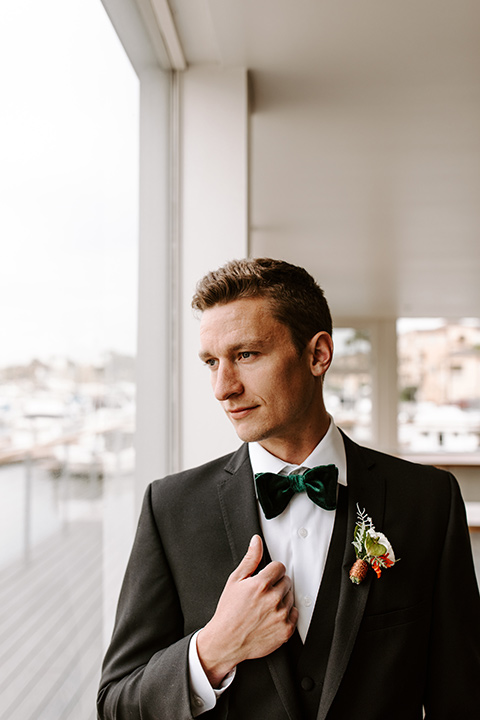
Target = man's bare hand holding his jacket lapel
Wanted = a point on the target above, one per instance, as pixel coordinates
(254, 616)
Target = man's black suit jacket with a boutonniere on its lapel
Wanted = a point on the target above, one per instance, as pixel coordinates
(399, 644)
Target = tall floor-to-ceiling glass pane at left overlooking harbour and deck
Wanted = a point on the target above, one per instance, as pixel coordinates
(68, 286)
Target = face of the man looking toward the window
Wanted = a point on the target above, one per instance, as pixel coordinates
(267, 390)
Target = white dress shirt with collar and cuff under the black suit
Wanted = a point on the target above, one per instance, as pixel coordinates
(299, 538)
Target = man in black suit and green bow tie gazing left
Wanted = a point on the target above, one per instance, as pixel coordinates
(238, 602)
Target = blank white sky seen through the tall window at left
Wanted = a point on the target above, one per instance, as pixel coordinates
(68, 183)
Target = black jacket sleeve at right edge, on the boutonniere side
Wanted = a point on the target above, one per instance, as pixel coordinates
(454, 667)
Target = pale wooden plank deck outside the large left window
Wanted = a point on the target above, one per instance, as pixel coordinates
(51, 628)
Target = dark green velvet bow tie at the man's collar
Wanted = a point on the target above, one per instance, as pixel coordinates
(275, 491)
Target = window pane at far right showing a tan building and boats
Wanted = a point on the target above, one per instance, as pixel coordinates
(439, 383)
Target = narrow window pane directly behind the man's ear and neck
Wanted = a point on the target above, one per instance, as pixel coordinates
(348, 383)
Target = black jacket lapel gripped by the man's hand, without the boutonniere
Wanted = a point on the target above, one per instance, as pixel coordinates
(240, 514)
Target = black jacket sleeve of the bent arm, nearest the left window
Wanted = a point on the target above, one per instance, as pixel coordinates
(145, 671)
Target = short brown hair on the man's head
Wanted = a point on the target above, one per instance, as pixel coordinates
(296, 299)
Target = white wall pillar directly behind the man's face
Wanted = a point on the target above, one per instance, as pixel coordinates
(214, 229)
